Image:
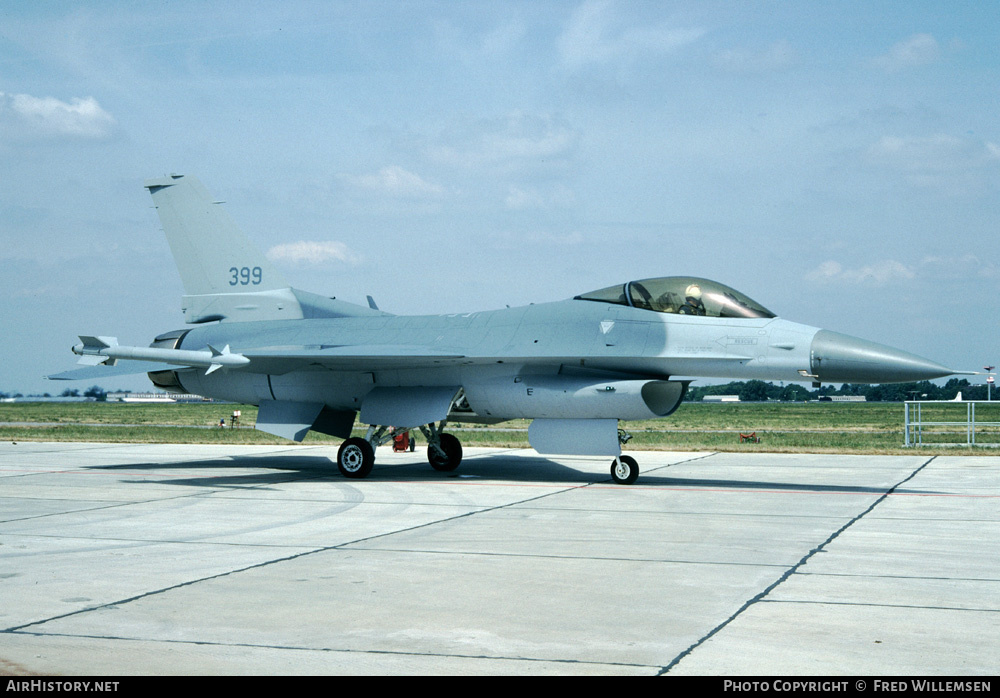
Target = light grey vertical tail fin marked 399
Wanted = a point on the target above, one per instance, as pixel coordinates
(225, 277)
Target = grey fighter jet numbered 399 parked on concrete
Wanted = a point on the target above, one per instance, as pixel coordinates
(576, 367)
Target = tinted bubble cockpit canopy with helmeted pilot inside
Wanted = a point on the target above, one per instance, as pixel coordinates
(684, 295)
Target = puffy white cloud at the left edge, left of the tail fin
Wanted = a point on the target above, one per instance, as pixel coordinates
(48, 117)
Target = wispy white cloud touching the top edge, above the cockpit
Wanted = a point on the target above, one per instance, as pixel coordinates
(592, 37)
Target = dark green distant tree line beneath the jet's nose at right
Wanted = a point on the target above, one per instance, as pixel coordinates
(760, 391)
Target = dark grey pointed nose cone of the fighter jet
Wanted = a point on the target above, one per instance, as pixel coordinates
(840, 358)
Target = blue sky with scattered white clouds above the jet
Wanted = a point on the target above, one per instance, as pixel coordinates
(838, 162)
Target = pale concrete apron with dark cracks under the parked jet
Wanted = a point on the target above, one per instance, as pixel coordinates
(120, 559)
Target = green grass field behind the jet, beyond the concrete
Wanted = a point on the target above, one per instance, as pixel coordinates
(862, 428)
